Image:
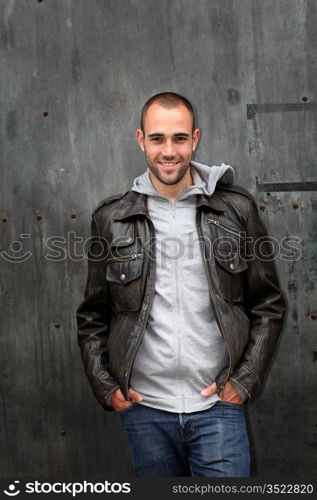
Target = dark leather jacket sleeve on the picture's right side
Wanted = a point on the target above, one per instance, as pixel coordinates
(264, 304)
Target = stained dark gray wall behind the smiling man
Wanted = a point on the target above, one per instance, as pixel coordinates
(91, 64)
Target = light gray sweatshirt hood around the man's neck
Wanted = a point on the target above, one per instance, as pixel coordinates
(205, 178)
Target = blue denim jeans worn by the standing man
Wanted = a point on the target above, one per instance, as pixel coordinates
(210, 443)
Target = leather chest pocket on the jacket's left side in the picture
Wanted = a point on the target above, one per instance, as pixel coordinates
(123, 273)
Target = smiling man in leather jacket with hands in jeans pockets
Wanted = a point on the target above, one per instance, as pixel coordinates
(181, 314)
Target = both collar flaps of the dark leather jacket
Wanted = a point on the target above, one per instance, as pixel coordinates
(134, 203)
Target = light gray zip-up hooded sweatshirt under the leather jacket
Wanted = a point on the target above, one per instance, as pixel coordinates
(182, 350)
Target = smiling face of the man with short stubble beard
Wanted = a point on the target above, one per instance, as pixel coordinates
(168, 142)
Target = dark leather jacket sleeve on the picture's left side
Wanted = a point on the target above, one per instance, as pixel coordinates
(93, 319)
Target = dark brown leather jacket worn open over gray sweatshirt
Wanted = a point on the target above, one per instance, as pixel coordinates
(244, 288)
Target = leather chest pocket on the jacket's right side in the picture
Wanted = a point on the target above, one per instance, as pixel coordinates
(228, 250)
